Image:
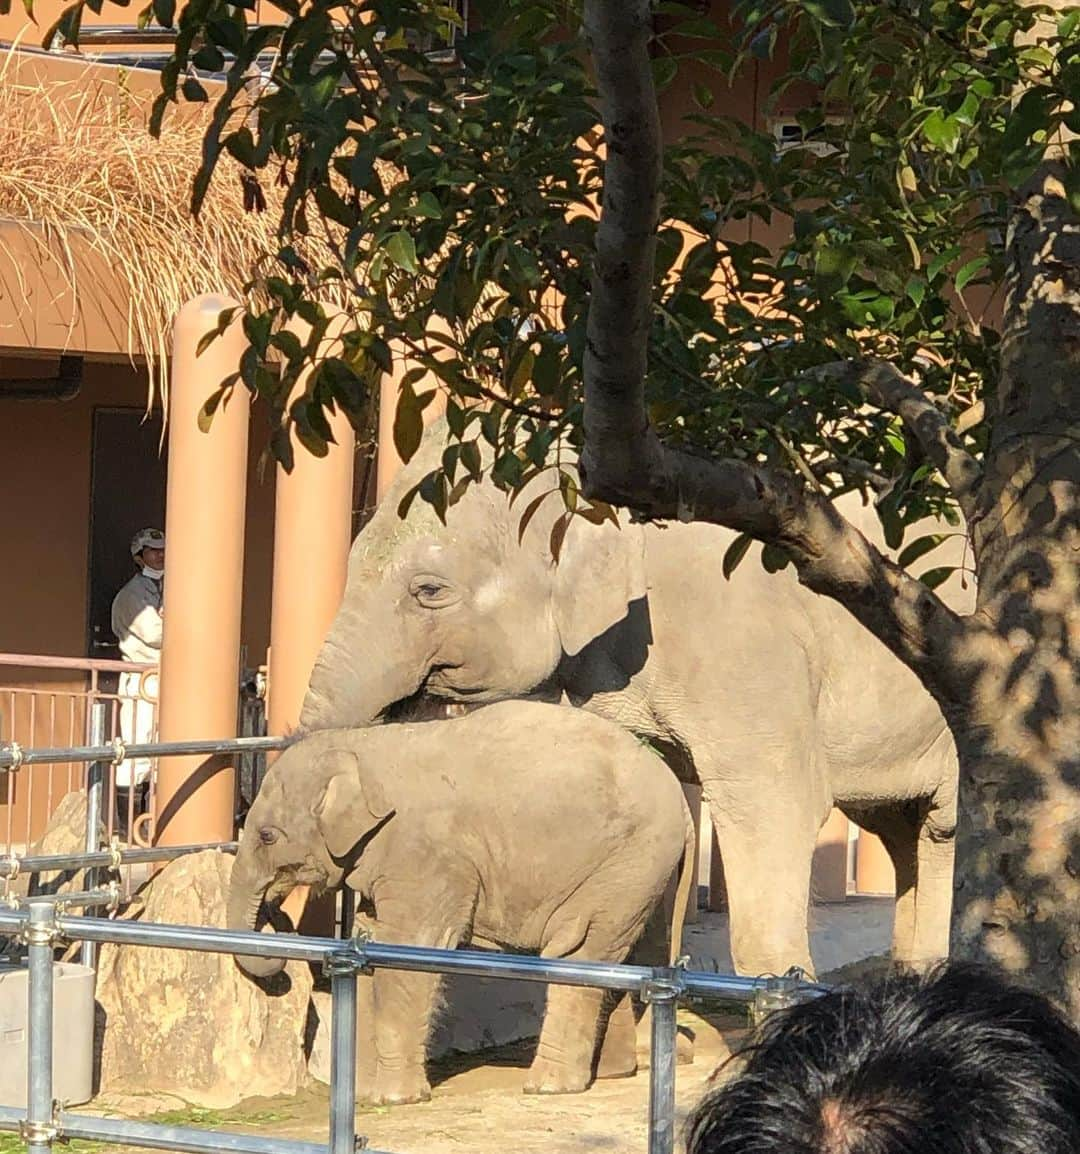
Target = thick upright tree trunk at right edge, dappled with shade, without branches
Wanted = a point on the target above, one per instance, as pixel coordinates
(1018, 851)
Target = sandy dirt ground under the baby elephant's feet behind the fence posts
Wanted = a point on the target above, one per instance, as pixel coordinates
(477, 1106)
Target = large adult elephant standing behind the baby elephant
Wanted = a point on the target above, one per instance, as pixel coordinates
(776, 700)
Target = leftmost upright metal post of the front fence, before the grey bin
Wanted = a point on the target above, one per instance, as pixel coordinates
(40, 1129)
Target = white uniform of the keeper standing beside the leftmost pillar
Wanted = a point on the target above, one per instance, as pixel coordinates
(137, 621)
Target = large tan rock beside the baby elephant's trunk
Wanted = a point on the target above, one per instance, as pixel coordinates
(192, 1024)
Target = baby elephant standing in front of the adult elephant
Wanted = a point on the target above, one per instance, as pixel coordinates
(520, 827)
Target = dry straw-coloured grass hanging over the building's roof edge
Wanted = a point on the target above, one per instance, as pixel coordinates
(79, 162)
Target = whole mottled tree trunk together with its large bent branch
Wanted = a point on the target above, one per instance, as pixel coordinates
(1008, 678)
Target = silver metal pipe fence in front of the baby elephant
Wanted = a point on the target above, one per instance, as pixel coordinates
(41, 926)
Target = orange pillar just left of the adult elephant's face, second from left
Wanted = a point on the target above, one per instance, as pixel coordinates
(312, 537)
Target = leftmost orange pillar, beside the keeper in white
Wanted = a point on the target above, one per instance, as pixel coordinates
(205, 509)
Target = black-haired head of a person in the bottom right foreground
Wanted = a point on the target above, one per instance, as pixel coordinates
(956, 1062)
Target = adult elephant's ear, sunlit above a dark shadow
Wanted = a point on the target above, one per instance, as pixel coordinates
(599, 575)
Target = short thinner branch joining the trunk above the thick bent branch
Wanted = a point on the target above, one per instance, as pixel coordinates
(884, 386)
